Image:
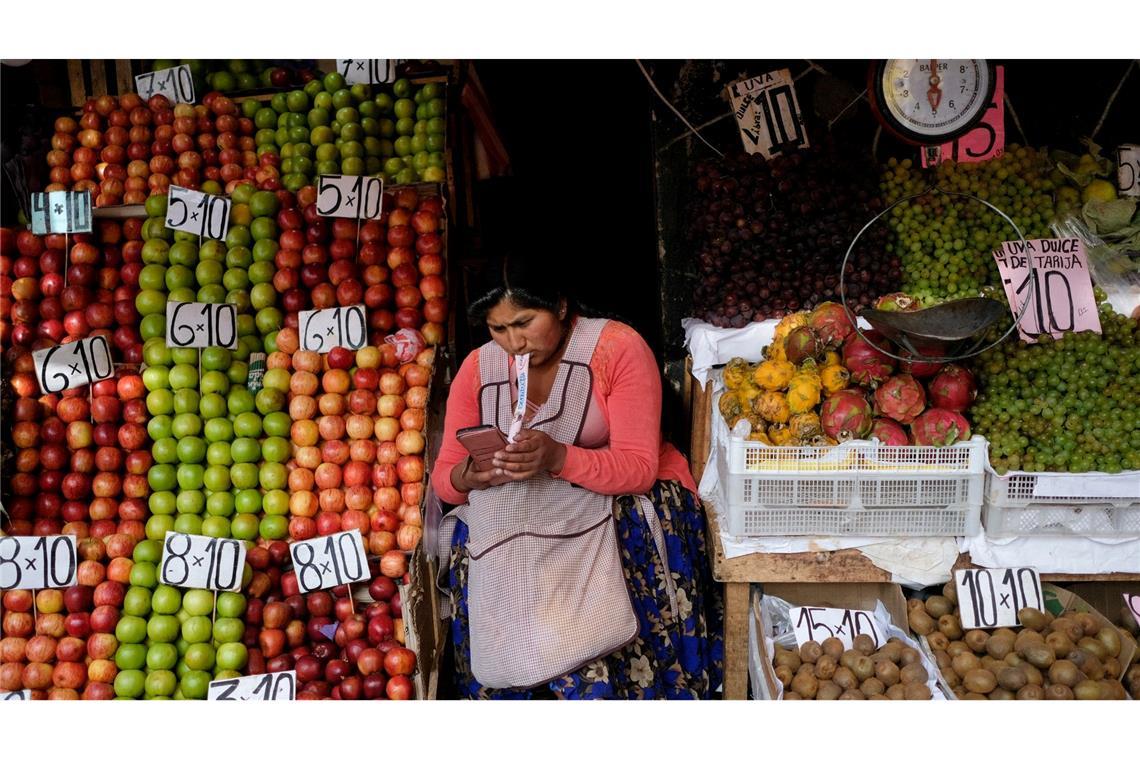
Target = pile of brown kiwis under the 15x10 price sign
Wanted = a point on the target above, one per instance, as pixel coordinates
(832, 672)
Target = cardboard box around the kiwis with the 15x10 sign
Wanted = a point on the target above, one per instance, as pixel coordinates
(844, 596)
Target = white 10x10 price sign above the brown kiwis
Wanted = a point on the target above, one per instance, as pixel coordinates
(991, 598)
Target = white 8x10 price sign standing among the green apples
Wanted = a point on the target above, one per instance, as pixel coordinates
(202, 562)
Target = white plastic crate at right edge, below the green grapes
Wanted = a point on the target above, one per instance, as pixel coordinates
(1097, 505)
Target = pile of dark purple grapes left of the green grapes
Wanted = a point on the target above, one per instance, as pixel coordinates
(769, 236)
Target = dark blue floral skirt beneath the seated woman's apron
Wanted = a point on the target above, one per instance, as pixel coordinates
(673, 658)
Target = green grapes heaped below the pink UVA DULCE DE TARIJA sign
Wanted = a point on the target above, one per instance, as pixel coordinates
(1066, 405)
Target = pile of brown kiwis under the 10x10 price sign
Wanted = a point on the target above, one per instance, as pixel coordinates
(1066, 658)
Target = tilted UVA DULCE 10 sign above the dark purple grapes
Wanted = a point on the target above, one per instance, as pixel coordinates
(768, 115)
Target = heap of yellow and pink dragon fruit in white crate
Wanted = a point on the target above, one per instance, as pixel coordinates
(823, 383)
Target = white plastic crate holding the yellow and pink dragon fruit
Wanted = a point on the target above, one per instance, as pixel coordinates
(858, 488)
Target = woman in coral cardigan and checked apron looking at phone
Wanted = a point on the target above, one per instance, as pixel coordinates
(577, 565)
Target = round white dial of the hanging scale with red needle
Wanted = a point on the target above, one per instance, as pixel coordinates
(931, 102)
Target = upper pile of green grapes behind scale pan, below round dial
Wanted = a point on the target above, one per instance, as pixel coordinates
(947, 242)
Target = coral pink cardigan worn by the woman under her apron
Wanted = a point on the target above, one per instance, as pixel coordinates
(628, 389)
